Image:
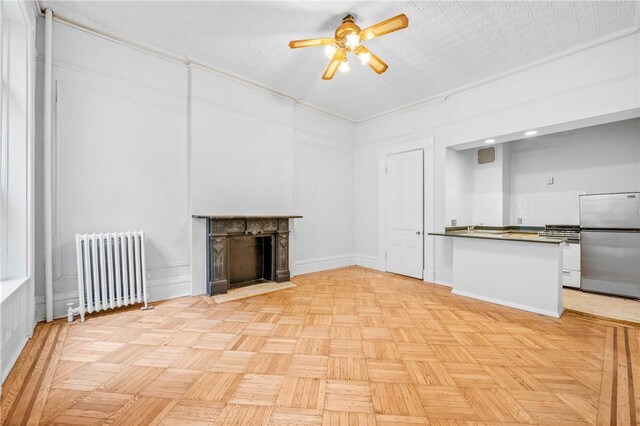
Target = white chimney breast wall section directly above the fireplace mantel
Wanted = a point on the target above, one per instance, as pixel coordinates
(241, 149)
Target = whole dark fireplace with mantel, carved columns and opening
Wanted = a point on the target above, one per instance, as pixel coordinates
(245, 250)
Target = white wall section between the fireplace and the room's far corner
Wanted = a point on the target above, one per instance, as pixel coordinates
(322, 192)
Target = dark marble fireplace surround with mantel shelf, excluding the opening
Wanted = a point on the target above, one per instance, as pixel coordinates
(221, 228)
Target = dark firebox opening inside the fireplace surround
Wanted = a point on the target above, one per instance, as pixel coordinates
(250, 260)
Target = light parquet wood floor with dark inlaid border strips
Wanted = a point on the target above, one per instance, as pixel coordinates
(350, 346)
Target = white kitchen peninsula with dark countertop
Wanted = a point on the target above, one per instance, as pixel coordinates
(512, 268)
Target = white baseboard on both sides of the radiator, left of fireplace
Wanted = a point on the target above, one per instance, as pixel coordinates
(161, 289)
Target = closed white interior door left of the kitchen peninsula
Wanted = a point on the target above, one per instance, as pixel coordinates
(404, 213)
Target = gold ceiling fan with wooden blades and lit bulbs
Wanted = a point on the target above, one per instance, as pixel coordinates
(348, 38)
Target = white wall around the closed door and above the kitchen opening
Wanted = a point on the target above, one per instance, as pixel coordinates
(586, 85)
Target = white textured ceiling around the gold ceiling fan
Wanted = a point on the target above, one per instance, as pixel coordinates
(448, 45)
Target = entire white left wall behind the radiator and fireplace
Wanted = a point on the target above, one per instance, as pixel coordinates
(130, 156)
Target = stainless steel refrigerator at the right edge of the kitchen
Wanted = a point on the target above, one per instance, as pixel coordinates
(610, 243)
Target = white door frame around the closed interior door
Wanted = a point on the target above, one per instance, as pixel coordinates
(426, 144)
